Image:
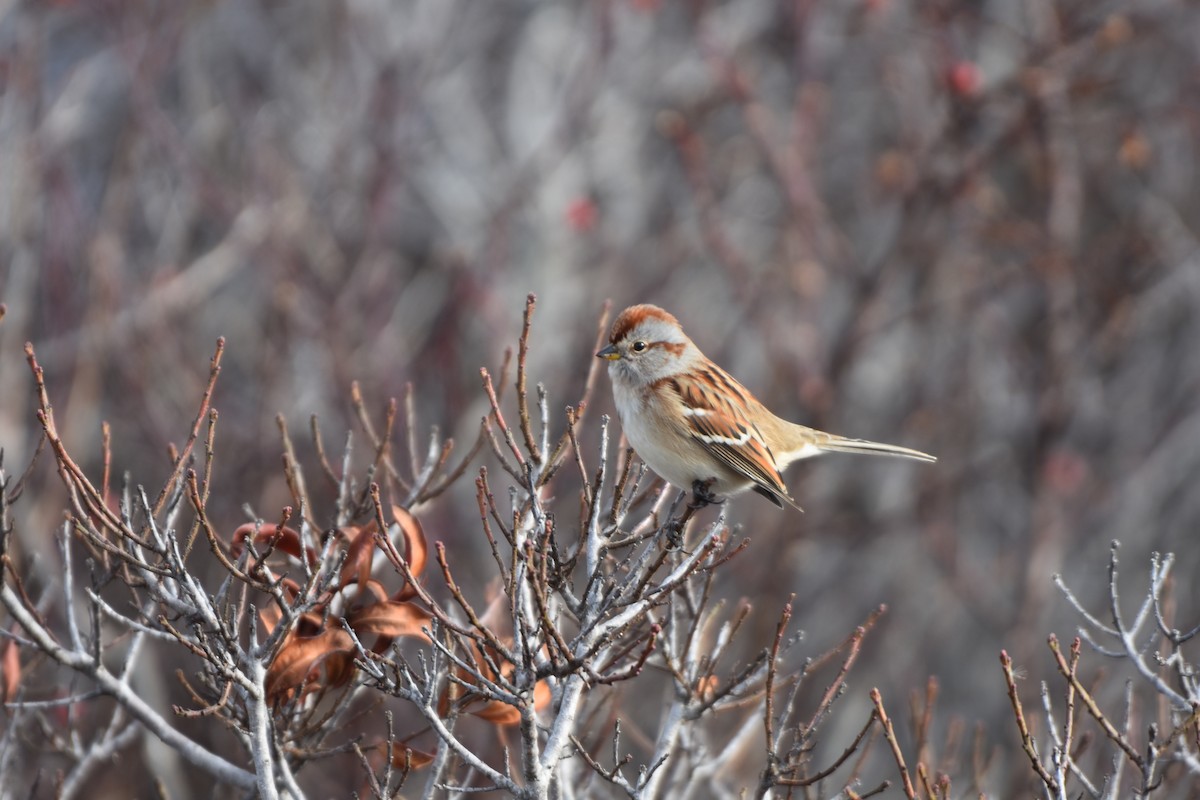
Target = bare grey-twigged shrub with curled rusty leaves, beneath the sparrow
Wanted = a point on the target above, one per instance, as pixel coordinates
(340, 634)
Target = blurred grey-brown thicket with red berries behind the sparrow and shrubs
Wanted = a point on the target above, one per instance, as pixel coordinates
(971, 228)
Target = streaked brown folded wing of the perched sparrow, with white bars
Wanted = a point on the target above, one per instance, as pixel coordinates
(713, 404)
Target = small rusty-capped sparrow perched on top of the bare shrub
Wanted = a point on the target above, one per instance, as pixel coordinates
(697, 426)
